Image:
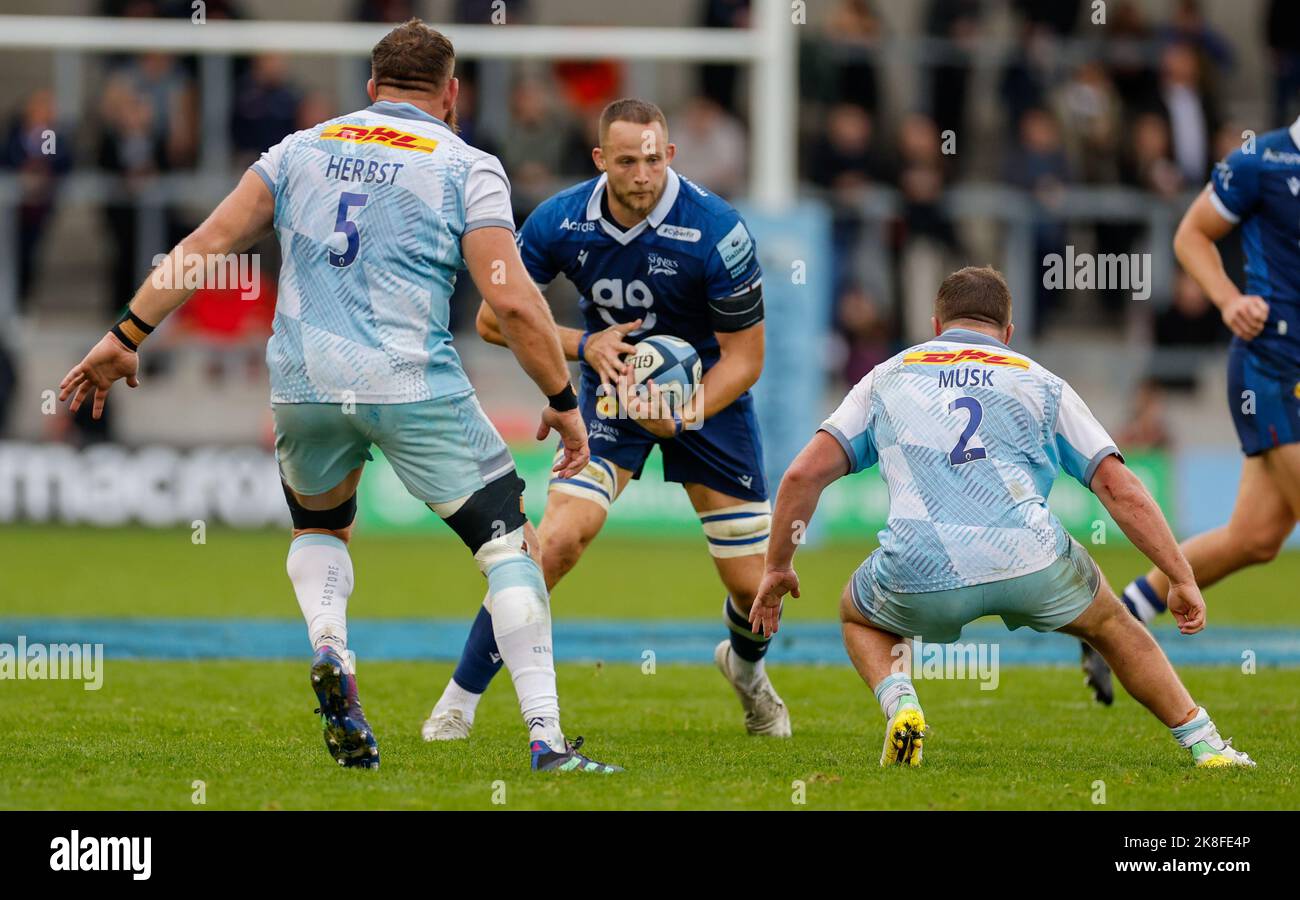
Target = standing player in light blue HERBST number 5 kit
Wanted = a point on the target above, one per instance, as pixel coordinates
(376, 213)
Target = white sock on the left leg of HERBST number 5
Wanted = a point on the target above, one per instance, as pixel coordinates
(322, 574)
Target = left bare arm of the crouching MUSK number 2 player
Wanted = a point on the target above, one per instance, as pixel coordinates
(818, 465)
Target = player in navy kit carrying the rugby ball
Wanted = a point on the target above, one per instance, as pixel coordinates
(651, 254)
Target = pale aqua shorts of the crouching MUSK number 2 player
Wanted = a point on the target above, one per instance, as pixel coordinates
(1045, 602)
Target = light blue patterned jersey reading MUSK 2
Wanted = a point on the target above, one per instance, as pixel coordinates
(970, 438)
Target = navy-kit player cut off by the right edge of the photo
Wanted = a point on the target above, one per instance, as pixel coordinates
(1256, 187)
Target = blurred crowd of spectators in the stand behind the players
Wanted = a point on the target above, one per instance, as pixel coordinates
(1139, 110)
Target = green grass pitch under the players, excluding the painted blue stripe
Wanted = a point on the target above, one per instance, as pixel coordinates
(248, 733)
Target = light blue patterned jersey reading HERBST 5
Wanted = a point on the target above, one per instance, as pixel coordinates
(370, 210)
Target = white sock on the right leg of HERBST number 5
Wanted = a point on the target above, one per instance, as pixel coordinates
(522, 622)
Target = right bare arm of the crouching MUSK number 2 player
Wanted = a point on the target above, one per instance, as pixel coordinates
(1139, 517)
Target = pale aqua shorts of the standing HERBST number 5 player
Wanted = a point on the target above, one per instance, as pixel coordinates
(441, 449)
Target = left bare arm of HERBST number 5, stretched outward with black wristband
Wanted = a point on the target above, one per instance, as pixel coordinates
(235, 226)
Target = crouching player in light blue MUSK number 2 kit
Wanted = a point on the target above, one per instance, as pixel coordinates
(970, 438)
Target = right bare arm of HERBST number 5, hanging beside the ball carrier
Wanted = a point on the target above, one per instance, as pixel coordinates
(528, 330)
